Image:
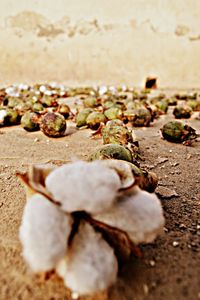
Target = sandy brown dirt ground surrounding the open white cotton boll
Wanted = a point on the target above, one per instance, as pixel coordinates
(167, 271)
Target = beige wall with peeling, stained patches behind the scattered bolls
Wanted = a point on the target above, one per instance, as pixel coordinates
(100, 41)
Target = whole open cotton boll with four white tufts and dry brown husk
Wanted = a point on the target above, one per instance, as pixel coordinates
(79, 216)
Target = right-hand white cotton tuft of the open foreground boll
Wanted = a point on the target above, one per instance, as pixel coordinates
(138, 214)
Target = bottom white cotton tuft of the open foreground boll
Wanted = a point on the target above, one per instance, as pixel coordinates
(90, 265)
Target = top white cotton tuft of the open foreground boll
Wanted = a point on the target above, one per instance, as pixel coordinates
(88, 186)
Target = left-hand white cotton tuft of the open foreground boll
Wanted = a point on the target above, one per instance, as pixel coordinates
(44, 232)
